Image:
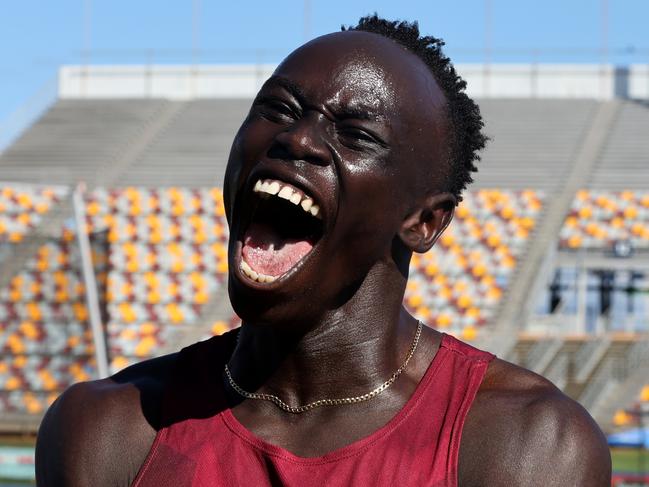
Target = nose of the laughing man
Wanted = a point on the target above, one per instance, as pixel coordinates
(305, 140)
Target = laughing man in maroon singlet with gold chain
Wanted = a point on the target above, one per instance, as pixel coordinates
(353, 156)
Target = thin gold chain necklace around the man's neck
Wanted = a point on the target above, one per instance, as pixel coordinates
(326, 402)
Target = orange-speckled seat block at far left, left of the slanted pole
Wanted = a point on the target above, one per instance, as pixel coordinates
(45, 342)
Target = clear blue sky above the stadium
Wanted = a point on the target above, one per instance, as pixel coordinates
(38, 36)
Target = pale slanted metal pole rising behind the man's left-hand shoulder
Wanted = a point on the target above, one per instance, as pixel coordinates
(92, 300)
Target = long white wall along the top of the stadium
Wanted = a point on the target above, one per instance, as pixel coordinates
(602, 82)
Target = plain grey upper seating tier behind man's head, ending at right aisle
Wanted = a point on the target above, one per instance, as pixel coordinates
(153, 143)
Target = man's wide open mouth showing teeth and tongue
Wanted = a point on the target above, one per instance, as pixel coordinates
(285, 226)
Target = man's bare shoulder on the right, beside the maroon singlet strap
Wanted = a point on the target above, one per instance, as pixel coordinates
(522, 430)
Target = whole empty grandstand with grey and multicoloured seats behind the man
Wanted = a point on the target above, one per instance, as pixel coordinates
(545, 263)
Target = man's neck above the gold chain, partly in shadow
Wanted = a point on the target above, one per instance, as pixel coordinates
(346, 352)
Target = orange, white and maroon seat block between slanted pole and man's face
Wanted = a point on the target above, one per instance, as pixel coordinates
(168, 257)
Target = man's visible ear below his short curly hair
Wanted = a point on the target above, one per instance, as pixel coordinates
(421, 228)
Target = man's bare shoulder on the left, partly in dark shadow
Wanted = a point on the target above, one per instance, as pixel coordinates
(99, 432)
